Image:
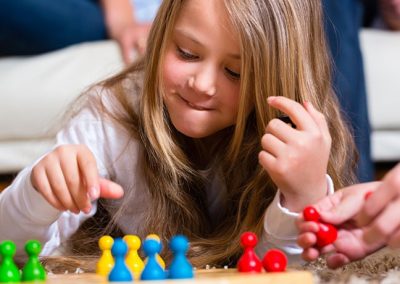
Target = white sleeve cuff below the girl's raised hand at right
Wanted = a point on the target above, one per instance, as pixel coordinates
(280, 230)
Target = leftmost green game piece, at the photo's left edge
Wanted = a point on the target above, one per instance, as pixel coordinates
(9, 272)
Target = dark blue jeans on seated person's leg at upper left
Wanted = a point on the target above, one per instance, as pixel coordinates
(29, 27)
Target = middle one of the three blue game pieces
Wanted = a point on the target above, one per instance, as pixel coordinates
(152, 270)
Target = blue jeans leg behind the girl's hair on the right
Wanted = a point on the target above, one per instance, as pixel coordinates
(343, 21)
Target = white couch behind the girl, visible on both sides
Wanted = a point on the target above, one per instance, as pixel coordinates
(36, 91)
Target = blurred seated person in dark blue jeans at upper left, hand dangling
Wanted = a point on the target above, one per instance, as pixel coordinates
(30, 27)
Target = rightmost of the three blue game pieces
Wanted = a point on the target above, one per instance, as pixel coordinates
(180, 267)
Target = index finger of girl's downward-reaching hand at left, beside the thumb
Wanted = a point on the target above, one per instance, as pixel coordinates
(88, 171)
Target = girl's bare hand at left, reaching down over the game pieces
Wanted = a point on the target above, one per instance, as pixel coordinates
(68, 179)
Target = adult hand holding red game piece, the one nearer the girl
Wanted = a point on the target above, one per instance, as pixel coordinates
(339, 209)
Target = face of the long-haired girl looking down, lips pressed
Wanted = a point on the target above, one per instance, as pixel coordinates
(201, 71)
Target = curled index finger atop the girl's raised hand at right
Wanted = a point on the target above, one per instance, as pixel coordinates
(297, 113)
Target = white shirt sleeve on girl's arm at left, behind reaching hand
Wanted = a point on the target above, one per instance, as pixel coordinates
(25, 214)
